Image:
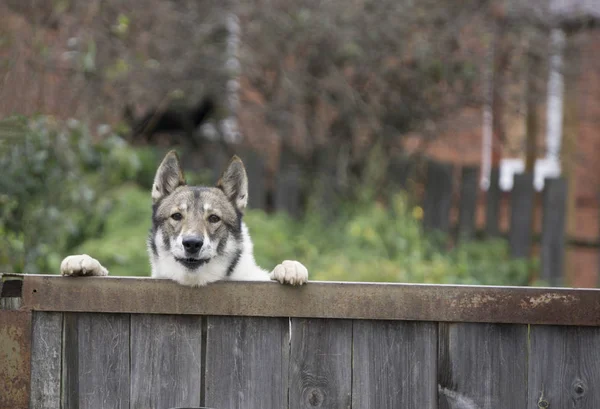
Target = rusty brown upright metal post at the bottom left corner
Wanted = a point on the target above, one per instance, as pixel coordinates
(15, 358)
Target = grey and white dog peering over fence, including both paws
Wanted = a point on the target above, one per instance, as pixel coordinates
(197, 235)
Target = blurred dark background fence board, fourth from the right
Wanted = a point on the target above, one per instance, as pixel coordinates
(469, 189)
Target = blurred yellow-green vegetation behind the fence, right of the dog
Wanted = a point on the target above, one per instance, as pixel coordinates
(375, 243)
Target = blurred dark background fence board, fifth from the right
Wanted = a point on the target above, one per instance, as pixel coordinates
(438, 196)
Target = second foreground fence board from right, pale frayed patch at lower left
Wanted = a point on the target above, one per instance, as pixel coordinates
(482, 366)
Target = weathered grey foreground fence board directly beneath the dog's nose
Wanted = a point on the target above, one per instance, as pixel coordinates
(165, 361)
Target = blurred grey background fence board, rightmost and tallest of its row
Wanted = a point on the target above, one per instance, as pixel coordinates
(553, 230)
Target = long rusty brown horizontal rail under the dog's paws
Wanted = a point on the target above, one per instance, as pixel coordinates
(519, 305)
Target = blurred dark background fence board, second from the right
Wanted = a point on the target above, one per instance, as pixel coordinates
(521, 215)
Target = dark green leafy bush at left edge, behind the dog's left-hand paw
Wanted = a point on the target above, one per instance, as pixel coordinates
(49, 200)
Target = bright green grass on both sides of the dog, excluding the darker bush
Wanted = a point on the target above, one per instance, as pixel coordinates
(371, 243)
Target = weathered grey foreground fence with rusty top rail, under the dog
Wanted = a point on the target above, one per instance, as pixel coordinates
(123, 343)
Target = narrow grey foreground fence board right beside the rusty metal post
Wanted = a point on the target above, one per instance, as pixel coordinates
(46, 358)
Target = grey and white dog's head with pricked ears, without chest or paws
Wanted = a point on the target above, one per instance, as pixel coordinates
(193, 224)
